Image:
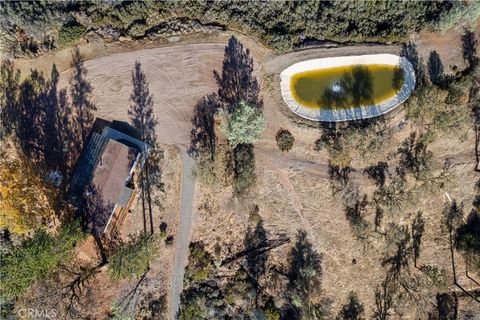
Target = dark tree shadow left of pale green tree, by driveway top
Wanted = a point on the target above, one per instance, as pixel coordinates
(203, 139)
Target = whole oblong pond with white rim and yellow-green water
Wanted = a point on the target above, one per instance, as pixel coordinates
(347, 88)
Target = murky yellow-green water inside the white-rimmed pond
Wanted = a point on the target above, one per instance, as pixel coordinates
(346, 86)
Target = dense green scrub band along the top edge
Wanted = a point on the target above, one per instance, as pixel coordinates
(30, 27)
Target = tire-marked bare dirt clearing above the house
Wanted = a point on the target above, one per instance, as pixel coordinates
(178, 77)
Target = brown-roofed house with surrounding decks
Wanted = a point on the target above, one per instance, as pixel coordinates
(103, 184)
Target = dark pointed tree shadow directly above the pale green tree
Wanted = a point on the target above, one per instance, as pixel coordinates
(237, 82)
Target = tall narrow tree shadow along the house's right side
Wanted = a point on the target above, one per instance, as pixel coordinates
(143, 119)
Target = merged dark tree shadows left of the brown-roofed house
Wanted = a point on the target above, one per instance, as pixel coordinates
(50, 129)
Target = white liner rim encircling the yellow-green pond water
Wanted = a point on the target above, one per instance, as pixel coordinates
(357, 113)
